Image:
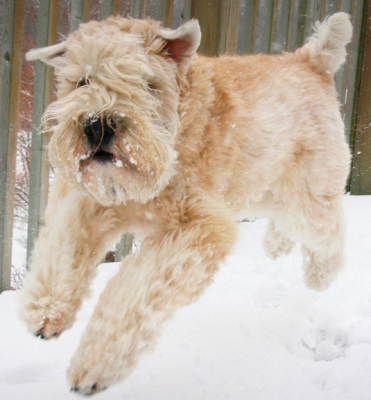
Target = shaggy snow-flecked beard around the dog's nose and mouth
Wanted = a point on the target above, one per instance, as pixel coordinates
(136, 166)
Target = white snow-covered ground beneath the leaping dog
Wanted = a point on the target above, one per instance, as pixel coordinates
(256, 334)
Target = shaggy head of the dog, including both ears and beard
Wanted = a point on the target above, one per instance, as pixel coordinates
(115, 119)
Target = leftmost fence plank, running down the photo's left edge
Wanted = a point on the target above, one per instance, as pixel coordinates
(10, 75)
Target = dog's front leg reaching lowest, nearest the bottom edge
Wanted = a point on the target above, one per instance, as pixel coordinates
(150, 286)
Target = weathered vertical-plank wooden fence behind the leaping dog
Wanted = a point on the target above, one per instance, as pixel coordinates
(228, 26)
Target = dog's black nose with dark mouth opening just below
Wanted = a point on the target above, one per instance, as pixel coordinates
(99, 134)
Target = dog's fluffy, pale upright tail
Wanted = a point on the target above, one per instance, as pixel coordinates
(326, 47)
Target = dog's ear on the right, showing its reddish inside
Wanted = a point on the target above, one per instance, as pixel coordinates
(183, 42)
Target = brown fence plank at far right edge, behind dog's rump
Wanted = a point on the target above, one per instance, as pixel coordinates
(361, 168)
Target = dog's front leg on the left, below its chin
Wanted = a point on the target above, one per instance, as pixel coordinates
(73, 240)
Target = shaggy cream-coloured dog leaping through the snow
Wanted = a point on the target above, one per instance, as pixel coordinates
(151, 139)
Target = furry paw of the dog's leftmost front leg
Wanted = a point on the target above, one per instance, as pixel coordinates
(47, 319)
